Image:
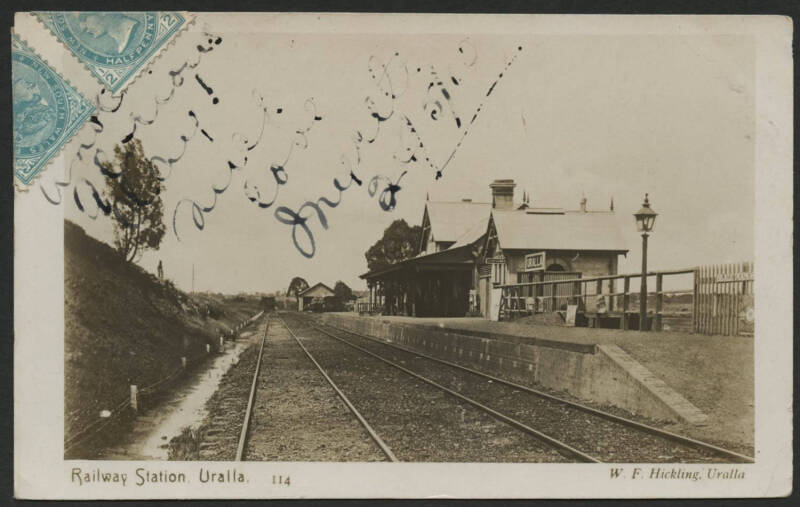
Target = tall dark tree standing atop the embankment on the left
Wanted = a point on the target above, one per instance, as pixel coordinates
(135, 191)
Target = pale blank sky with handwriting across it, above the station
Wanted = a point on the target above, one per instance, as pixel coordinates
(573, 115)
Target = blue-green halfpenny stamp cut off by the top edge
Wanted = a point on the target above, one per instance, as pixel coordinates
(114, 46)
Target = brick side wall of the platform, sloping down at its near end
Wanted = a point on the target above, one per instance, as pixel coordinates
(607, 376)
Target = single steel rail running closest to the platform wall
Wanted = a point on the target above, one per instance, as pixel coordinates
(687, 441)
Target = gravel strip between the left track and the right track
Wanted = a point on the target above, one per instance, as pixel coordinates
(418, 421)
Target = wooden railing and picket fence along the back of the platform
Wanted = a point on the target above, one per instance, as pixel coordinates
(720, 300)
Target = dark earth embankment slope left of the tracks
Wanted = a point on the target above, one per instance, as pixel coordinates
(123, 327)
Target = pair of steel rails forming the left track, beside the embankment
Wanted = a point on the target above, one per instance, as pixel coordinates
(246, 428)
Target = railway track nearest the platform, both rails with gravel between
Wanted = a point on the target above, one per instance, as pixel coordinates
(577, 431)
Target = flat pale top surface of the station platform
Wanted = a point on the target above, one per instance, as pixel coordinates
(715, 373)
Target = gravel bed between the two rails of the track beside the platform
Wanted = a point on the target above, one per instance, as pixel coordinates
(603, 439)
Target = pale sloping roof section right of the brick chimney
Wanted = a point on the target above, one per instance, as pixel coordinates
(570, 230)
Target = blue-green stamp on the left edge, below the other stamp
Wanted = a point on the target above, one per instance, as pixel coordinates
(47, 111)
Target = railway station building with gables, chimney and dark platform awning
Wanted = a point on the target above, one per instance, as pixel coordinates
(469, 250)
